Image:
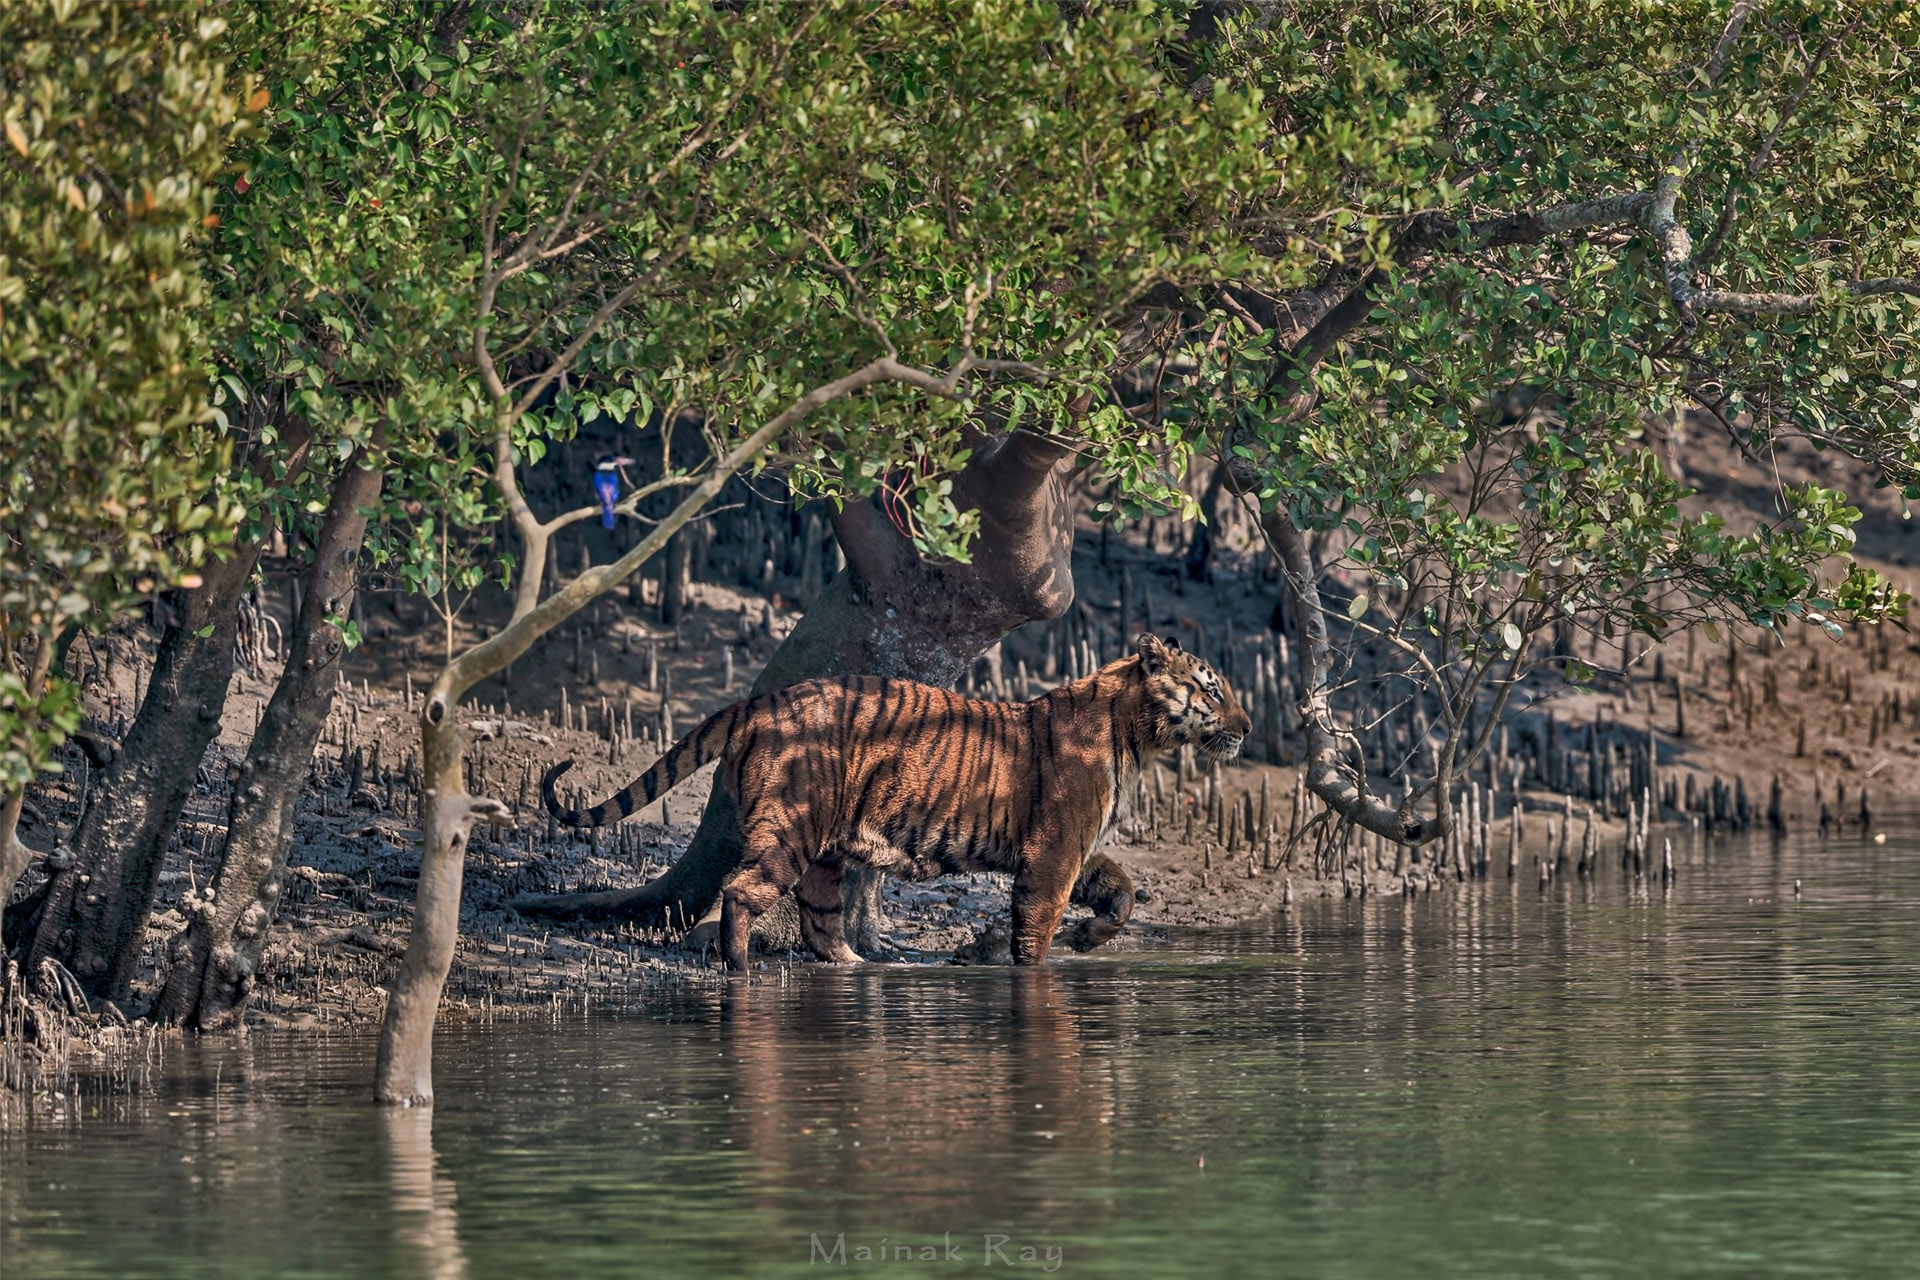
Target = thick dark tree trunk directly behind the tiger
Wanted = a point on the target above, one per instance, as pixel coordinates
(888, 613)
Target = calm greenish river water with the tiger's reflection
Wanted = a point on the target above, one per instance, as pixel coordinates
(1721, 1079)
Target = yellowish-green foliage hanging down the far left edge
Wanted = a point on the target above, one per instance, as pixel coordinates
(116, 126)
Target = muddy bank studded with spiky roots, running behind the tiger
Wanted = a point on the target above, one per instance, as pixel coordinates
(1205, 847)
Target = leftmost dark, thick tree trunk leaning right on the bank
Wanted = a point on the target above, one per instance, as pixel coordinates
(97, 905)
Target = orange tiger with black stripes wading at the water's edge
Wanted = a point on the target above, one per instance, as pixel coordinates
(923, 782)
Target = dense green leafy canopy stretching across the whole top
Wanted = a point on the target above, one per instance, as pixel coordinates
(1435, 283)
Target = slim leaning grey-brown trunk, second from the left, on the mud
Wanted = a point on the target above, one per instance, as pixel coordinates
(214, 960)
